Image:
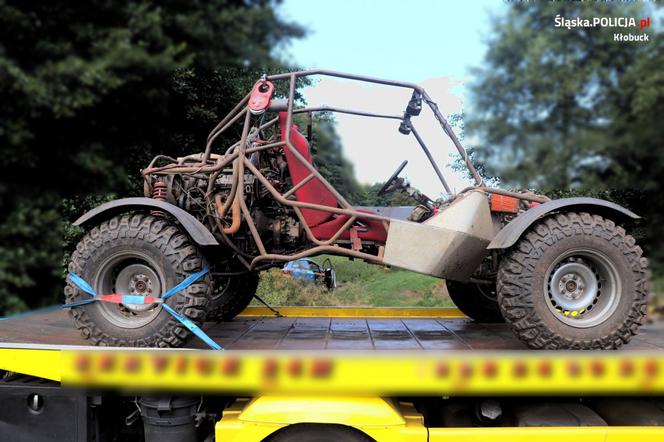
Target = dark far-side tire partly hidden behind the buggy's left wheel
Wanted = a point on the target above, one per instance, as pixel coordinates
(231, 295)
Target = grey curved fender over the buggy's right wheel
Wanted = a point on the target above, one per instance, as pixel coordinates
(510, 234)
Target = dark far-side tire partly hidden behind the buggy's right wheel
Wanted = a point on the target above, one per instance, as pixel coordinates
(477, 301)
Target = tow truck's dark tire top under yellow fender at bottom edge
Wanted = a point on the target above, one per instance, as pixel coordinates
(318, 433)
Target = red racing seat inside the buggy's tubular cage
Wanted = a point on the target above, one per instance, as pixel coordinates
(323, 224)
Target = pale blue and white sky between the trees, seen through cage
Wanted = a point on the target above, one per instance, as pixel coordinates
(428, 42)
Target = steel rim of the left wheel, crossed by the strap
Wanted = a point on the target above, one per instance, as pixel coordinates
(129, 273)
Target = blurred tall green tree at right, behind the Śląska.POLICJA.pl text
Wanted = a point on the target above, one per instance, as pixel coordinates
(571, 110)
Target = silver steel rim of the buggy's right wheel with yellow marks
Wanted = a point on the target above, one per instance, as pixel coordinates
(582, 288)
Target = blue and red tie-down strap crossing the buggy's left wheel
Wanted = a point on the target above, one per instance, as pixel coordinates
(119, 298)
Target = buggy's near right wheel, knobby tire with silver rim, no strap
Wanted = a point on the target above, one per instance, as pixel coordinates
(574, 281)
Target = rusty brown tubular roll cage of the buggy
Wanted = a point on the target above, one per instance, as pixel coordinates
(237, 154)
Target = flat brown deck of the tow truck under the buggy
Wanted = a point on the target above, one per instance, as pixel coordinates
(328, 331)
